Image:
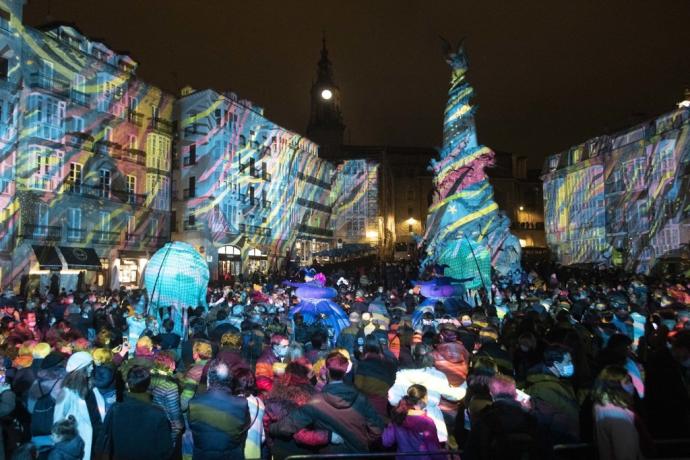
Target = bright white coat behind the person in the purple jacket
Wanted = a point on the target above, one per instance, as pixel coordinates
(436, 384)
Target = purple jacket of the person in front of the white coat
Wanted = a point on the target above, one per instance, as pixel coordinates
(416, 434)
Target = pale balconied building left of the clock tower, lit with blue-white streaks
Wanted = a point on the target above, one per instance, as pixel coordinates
(245, 185)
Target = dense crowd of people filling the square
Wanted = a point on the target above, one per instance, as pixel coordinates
(578, 357)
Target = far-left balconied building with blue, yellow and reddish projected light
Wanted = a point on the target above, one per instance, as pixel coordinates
(85, 159)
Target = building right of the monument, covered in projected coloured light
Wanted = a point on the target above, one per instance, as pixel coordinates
(622, 200)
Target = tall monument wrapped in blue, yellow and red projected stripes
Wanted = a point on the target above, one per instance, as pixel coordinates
(465, 229)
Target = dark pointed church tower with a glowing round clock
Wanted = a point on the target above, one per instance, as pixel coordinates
(326, 126)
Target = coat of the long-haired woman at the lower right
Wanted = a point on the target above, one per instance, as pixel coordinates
(616, 435)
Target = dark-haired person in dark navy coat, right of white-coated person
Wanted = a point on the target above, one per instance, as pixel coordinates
(135, 428)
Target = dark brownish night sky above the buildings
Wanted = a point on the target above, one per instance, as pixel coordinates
(547, 74)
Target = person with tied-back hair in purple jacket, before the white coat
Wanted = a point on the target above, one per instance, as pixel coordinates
(410, 429)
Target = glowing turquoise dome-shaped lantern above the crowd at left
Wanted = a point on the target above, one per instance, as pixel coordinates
(176, 275)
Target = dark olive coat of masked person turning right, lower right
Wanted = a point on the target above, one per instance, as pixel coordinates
(555, 405)
